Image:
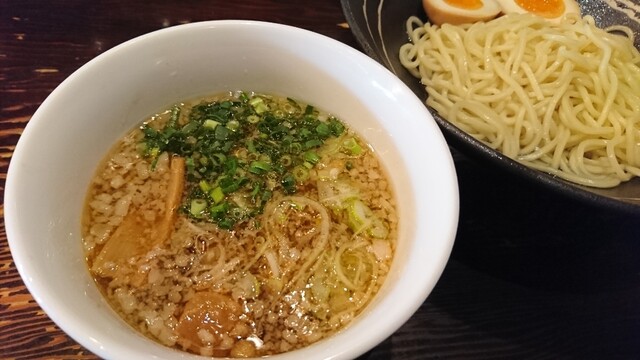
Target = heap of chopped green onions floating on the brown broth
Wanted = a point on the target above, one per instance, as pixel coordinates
(249, 145)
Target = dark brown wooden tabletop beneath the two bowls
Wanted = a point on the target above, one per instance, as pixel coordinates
(532, 275)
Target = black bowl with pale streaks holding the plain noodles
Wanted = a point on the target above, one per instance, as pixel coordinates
(379, 28)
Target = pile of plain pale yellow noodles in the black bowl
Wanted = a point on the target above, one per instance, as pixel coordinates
(561, 98)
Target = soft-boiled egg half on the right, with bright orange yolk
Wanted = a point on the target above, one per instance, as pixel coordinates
(552, 10)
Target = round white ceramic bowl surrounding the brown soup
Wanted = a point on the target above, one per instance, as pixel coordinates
(76, 125)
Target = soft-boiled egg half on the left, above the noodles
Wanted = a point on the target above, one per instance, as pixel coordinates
(457, 12)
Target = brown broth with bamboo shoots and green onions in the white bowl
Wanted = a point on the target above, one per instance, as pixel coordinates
(274, 249)
